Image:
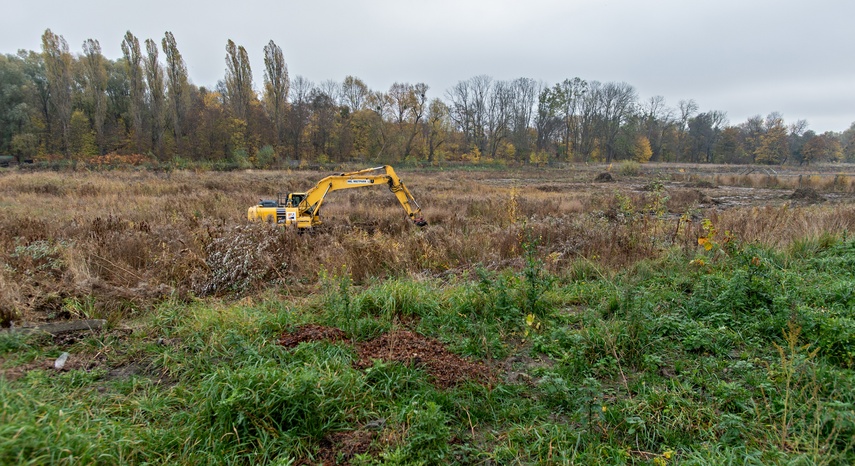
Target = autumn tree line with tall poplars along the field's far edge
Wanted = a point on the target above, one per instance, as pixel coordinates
(55, 104)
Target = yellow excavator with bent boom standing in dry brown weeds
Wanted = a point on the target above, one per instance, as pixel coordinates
(302, 209)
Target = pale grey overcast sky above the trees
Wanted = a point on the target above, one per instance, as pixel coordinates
(743, 57)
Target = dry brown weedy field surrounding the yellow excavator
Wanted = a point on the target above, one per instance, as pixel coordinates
(112, 243)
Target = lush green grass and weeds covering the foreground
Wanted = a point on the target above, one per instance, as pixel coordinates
(740, 354)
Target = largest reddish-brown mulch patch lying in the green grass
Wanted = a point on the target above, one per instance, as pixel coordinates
(410, 348)
